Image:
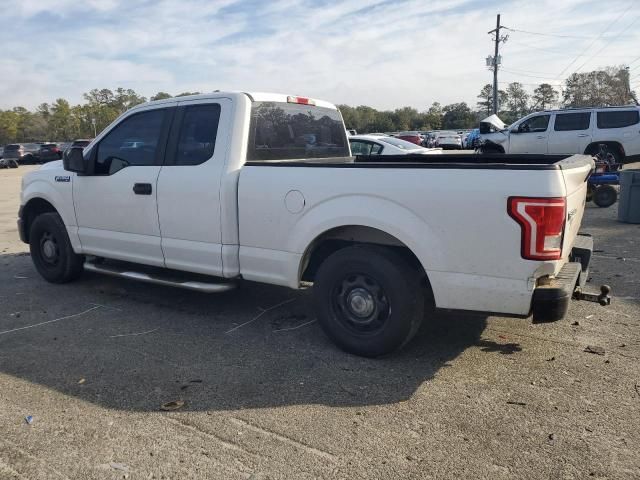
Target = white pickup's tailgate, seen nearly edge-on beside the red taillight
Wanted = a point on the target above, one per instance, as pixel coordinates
(576, 171)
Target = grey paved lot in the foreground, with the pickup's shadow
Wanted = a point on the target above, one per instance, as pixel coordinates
(267, 396)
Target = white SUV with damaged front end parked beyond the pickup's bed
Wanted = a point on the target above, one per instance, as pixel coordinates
(569, 131)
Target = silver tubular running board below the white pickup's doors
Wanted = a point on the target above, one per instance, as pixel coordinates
(160, 278)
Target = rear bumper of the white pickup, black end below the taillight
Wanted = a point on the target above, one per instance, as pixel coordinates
(551, 298)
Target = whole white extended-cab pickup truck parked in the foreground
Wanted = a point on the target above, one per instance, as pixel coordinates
(204, 191)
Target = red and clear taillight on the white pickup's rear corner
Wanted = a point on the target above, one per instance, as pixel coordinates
(542, 222)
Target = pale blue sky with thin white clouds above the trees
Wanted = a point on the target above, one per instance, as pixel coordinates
(385, 54)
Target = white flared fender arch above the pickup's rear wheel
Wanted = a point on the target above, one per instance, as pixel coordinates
(369, 211)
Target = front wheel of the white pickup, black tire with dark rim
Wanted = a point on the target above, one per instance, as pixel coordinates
(51, 250)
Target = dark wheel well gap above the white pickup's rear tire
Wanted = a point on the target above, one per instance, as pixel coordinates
(341, 237)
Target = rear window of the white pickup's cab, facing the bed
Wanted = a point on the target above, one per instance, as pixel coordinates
(284, 131)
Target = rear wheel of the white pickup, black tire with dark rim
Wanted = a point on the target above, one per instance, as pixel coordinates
(369, 300)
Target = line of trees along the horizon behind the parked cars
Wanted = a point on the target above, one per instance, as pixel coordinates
(60, 121)
